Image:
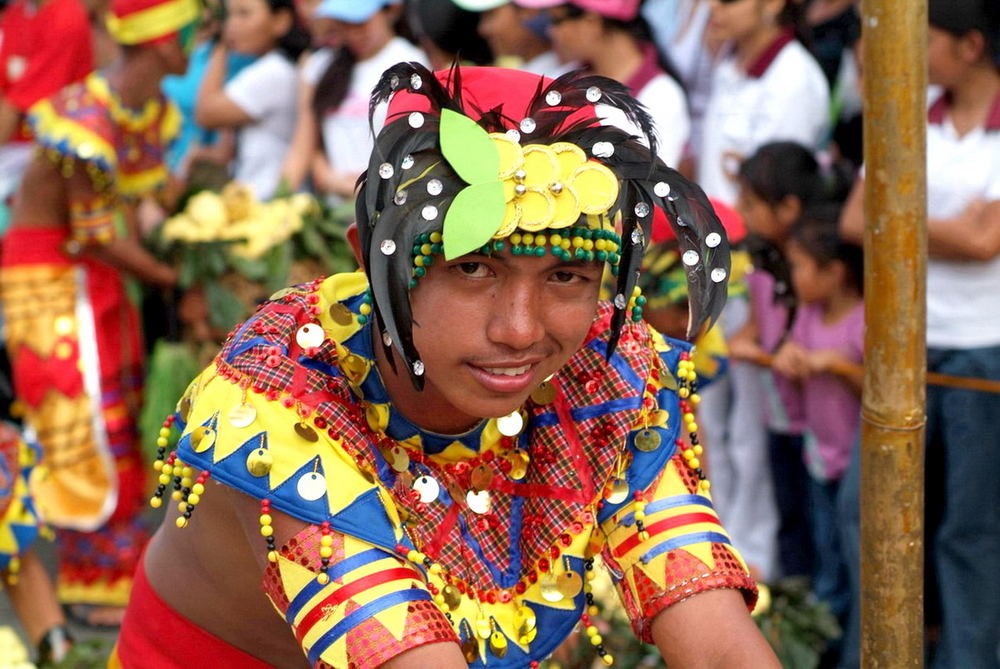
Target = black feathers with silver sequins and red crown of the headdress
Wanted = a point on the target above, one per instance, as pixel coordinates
(410, 184)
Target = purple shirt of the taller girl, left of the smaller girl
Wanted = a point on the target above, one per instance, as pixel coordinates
(783, 409)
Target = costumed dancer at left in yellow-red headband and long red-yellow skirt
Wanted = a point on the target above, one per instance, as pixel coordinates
(71, 330)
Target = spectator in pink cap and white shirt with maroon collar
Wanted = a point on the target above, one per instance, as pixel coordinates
(613, 40)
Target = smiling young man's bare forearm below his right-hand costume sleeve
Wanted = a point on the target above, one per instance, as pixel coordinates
(711, 630)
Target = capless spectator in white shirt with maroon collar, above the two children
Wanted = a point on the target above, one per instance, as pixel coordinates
(767, 87)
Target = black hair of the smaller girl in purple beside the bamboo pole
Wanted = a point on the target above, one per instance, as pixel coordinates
(817, 232)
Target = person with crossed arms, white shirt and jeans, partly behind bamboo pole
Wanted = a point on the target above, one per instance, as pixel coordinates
(963, 324)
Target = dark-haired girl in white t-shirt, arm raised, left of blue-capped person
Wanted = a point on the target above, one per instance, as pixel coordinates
(260, 101)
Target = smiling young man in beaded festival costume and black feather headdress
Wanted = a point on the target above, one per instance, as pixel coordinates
(421, 462)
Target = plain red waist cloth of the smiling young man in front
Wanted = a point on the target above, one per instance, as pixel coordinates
(154, 636)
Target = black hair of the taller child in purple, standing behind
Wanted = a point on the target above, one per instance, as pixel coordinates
(779, 169)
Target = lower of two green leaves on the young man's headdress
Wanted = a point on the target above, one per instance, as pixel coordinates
(473, 218)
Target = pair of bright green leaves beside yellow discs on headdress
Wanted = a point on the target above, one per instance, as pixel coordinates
(478, 210)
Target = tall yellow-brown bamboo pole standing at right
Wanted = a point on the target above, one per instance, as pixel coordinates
(893, 402)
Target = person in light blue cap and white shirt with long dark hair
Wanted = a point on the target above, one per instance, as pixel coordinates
(332, 142)
